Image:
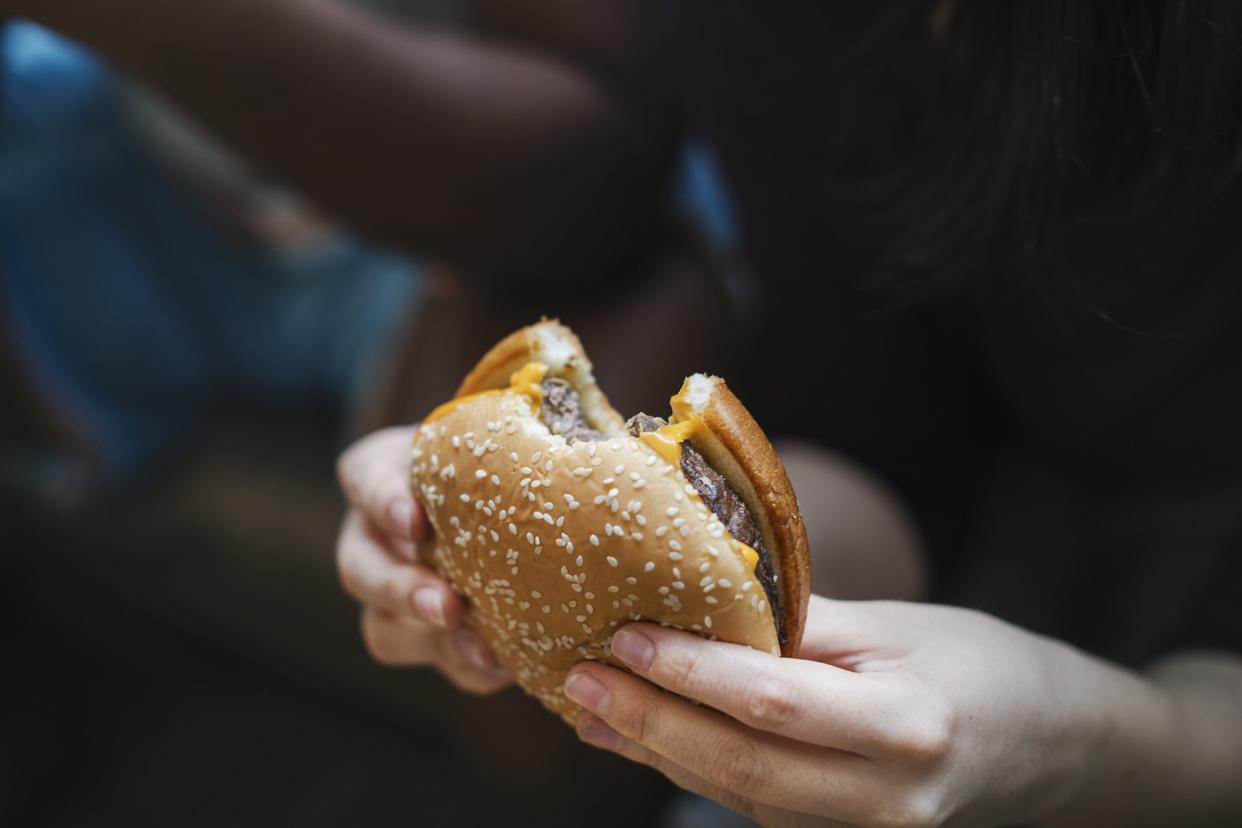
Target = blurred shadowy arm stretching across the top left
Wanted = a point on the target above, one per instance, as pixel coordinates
(486, 155)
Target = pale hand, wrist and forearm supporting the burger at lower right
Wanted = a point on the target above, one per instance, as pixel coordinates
(900, 714)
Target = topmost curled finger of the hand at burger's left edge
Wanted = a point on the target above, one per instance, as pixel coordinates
(374, 476)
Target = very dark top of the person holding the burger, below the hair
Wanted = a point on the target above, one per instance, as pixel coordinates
(1071, 421)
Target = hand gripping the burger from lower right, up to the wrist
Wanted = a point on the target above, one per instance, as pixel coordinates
(894, 714)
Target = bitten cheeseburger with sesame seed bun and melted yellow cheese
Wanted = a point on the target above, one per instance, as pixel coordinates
(561, 522)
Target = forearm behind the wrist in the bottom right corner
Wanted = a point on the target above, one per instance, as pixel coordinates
(1167, 745)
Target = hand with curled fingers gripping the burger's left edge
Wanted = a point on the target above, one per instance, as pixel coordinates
(410, 615)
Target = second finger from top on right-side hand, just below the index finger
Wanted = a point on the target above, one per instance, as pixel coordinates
(726, 754)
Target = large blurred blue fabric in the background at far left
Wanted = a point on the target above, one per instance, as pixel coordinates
(134, 311)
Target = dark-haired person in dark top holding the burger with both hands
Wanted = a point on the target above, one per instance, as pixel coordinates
(999, 240)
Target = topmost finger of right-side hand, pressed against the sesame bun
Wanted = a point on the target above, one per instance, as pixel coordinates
(804, 701)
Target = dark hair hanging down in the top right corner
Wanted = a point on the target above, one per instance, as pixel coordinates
(1053, 112)
